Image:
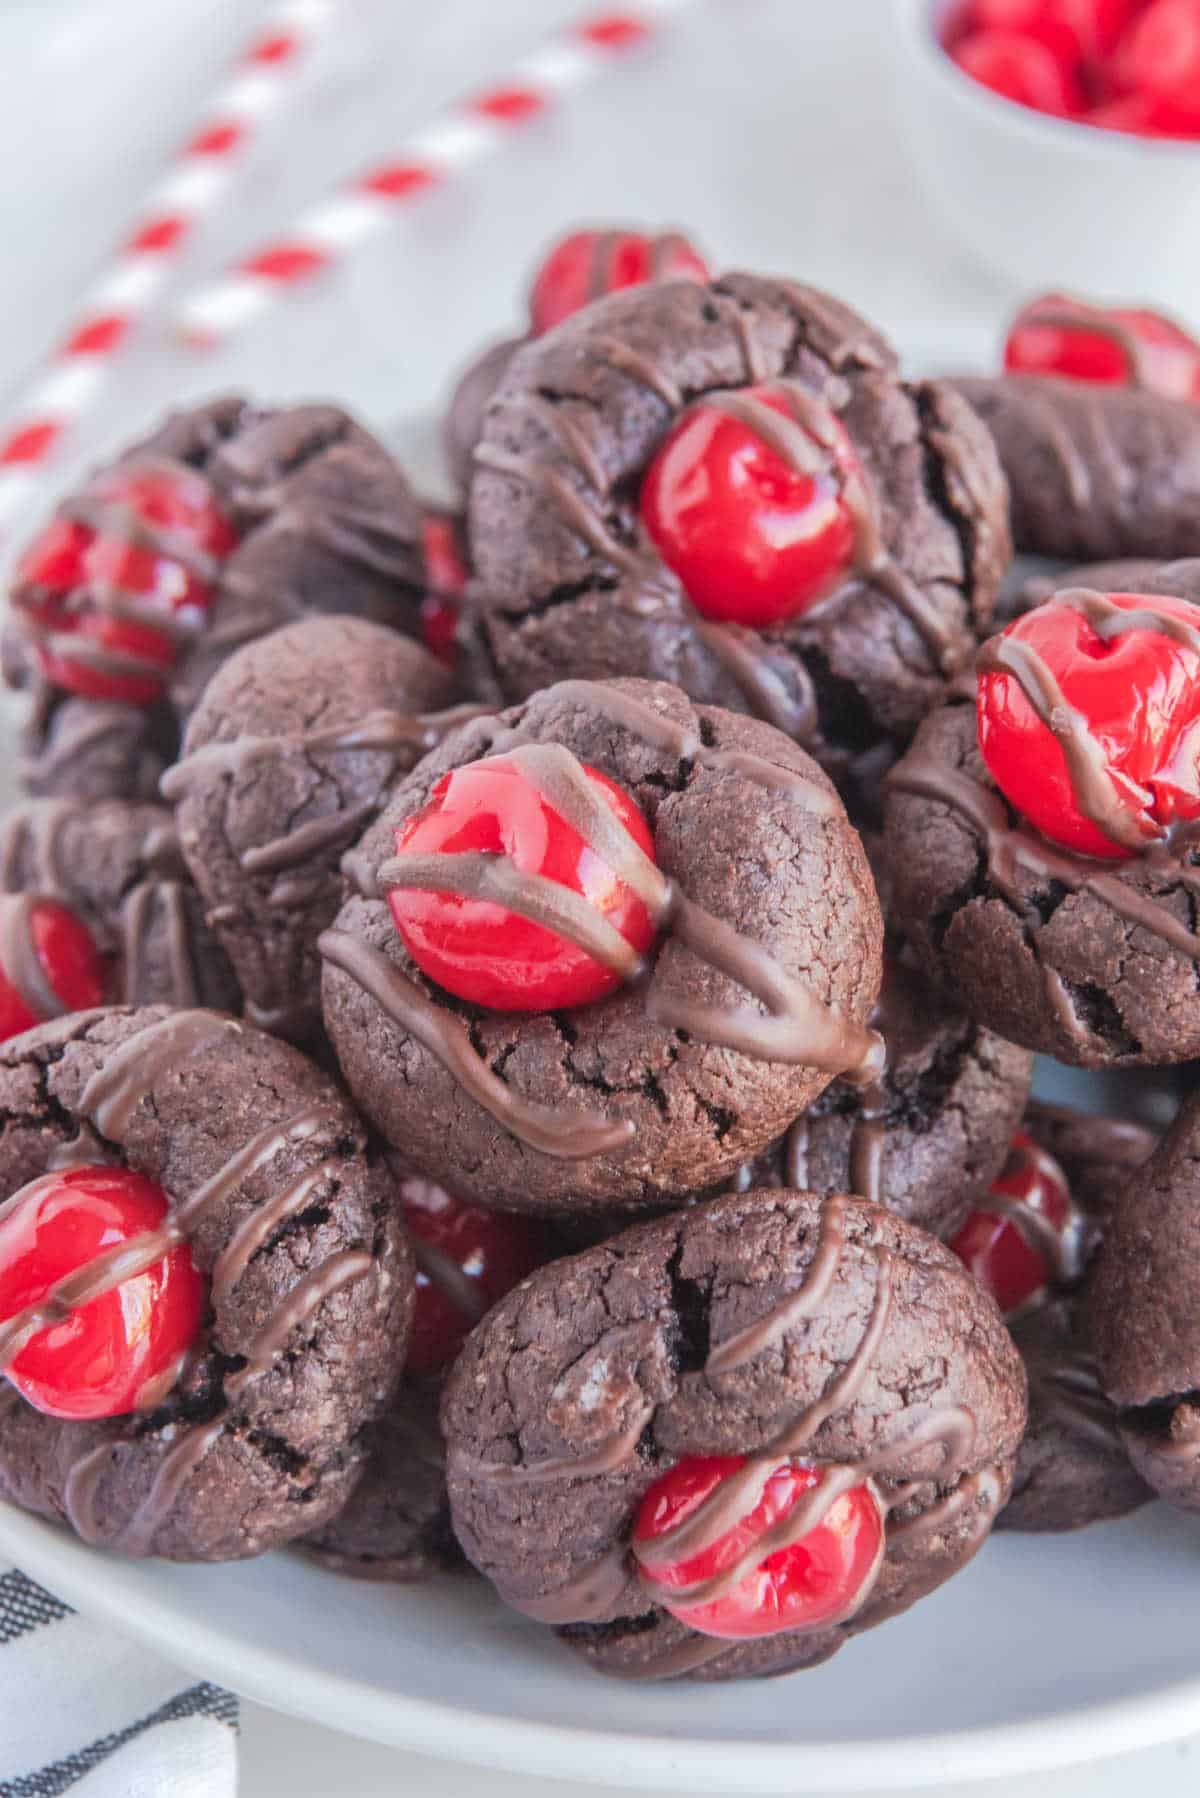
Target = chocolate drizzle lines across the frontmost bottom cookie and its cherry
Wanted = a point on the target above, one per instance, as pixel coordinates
(598, 1589)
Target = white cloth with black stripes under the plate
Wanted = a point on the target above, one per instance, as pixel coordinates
(94, 1716)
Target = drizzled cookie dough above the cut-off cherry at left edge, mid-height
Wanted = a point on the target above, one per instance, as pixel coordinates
(118, 868)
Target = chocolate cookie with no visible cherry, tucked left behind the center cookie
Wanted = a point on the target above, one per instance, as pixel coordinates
(287, 760)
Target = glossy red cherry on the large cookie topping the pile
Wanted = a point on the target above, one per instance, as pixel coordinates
(751, 539)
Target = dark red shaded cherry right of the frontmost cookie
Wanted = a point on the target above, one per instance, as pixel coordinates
(994, 1245)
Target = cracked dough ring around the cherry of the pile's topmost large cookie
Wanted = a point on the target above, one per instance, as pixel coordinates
(571, 431)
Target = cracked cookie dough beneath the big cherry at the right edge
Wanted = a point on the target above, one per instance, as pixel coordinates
(1088, 961)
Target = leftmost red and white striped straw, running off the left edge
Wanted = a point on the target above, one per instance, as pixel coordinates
(190, 190)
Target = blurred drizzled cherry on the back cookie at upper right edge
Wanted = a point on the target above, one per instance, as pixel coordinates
(1169, 357)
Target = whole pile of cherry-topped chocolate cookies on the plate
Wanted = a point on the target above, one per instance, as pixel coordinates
(517, 1024)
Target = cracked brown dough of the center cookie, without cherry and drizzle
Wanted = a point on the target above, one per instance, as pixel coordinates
(789, 880)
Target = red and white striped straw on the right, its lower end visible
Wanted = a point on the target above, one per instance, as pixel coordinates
(465, 134)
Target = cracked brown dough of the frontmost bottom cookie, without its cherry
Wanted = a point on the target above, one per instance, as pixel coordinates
(602, 1371)
